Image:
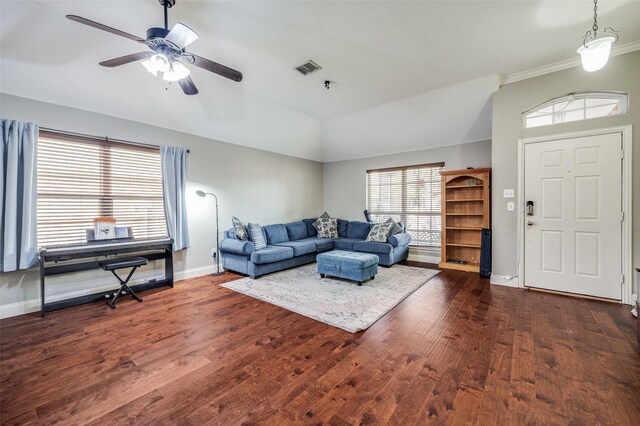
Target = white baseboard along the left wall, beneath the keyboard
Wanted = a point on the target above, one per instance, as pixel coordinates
(33, 305)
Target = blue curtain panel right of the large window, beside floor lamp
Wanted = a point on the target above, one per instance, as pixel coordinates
(174, 180)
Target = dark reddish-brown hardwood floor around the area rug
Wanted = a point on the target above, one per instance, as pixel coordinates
(457, 351)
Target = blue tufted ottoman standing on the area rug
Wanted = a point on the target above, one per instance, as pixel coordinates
(349, 265)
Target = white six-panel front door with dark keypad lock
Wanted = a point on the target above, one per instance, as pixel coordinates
(573, 239)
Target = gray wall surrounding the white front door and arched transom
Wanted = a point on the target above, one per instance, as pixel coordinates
(620, 74)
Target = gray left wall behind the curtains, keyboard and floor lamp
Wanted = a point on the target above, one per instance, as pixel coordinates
(255, 185)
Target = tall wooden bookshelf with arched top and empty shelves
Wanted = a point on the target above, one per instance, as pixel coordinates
(465, 211)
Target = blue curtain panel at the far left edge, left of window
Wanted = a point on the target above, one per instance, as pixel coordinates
(18, 196)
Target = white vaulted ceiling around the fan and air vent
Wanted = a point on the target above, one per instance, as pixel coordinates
(375, 53)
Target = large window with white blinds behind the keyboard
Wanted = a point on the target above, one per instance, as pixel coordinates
(80, 179)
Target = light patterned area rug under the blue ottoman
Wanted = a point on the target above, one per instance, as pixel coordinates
(339, 303)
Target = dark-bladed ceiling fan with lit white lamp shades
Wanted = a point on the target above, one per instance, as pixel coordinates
(167, 52)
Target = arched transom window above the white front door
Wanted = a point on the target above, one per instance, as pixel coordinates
(576, 107)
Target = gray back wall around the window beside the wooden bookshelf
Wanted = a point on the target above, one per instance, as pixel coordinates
(345, 181)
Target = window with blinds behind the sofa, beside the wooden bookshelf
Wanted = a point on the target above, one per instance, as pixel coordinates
(411, 195)
